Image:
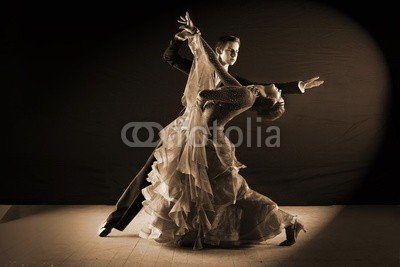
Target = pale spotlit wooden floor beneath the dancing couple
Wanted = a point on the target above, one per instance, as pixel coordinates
(67, 236)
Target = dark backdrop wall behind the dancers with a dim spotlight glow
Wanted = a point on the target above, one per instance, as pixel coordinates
(74, 75)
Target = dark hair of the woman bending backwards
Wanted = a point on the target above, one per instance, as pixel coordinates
(266, 108)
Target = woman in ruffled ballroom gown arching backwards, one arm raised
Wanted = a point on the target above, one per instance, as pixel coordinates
(197, 194)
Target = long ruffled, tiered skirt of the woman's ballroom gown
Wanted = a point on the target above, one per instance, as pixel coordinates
(198, 196)
